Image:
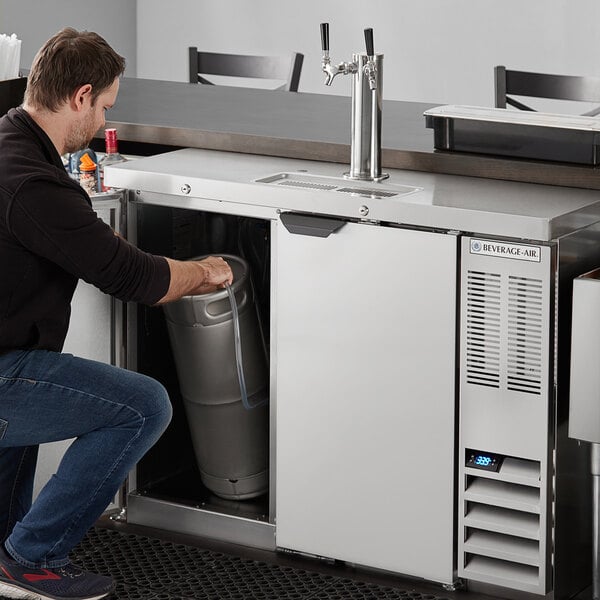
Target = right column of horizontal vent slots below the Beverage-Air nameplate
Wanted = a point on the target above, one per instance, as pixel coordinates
(524, 354)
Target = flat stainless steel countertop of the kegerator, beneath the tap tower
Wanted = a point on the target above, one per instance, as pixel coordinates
(227, 182)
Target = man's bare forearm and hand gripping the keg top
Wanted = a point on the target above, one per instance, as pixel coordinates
(192, 277)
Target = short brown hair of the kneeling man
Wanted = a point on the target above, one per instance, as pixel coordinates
(68, 60)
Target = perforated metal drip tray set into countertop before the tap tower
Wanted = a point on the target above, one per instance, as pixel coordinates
(338, 186)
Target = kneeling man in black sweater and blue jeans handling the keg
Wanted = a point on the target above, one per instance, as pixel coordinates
(49, 238)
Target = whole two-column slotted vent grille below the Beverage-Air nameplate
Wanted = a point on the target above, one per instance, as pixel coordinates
(504, 339)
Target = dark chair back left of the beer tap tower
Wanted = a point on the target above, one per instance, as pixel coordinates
(286, 68)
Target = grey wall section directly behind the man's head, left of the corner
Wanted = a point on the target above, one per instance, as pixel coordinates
(34, 22)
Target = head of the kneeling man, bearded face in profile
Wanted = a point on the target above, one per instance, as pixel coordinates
(73, 80)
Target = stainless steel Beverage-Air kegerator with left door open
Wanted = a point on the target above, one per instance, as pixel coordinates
(418, 336)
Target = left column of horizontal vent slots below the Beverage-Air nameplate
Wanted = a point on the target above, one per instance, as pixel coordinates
(483, 328)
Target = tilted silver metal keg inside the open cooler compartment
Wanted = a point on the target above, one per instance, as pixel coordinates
(230, 439)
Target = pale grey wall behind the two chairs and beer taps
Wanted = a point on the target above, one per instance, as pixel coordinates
(435, 50)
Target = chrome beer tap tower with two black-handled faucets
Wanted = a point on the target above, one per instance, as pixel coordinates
(367, 86)
